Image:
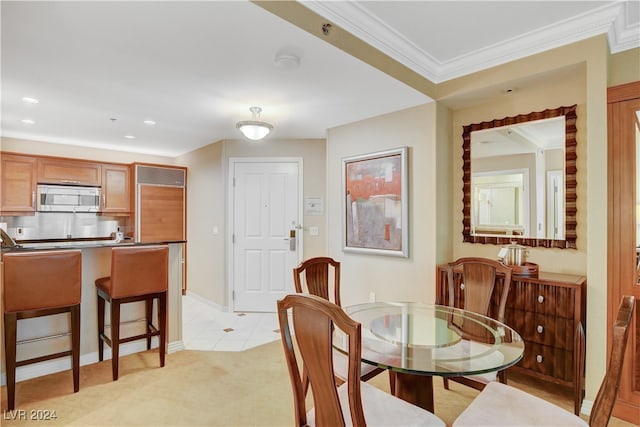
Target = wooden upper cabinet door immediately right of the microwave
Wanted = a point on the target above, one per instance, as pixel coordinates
(116, 189)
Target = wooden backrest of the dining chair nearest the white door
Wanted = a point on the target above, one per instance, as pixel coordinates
(313, 276)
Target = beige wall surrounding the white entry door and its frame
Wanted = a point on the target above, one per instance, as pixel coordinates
(207, 258)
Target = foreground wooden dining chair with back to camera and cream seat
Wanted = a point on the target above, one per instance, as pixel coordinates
(353, 402)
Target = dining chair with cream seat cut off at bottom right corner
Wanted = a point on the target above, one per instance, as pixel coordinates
(490, 406)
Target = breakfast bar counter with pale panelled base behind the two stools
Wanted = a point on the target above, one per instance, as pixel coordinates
(51, 334)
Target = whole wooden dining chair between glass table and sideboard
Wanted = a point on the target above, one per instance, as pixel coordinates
(476, 293)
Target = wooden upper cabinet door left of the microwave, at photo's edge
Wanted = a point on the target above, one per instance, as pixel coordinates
(18, 186)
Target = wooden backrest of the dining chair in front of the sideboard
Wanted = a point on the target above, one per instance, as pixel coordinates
(479, 278)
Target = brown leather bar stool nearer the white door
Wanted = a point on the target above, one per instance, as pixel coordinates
(138, 273)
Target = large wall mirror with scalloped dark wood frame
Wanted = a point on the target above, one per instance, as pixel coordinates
(519, 179)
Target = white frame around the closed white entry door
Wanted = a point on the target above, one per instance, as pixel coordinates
(231, 213)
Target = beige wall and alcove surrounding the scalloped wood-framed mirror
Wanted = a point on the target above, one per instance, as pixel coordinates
(574, 74)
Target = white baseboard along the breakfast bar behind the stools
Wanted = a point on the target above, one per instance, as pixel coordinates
(64, 363)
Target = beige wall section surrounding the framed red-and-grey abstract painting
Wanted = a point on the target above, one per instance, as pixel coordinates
(391, 278)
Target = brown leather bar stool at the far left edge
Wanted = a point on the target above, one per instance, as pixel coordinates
(36, 284)
